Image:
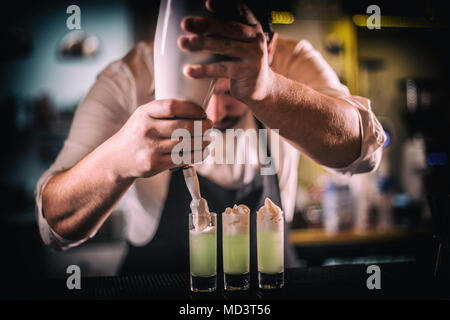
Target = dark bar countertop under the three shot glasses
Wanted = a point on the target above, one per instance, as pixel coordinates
(398, 281)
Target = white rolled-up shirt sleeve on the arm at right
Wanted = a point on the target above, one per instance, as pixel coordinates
(307, 66)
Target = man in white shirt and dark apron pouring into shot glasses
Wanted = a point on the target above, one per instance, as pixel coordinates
(119, 145)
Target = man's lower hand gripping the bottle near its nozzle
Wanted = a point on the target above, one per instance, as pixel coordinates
(143, 146)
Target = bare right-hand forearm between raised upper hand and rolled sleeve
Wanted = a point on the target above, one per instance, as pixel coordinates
(324, 128)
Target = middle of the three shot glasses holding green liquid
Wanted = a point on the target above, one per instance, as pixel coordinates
(236, 251)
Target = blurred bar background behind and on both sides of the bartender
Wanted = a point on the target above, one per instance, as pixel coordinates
(385, 216)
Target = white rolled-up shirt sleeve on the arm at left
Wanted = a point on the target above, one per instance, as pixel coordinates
(105, 108)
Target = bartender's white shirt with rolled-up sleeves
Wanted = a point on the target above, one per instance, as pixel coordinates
(127, 83)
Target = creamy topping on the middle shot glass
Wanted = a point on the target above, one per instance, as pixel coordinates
(236, 220)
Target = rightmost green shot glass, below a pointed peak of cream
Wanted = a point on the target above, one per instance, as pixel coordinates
(270, 247)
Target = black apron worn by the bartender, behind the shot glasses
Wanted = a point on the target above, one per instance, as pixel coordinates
(168, 251)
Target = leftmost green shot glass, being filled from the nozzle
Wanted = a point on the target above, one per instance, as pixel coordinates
(203, 256)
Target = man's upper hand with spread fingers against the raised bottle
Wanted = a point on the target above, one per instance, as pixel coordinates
(245, 43)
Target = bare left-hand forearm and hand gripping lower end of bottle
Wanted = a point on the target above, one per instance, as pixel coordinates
(77, 202)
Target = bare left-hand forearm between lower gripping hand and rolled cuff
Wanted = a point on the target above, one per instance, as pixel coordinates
(76, 202)
